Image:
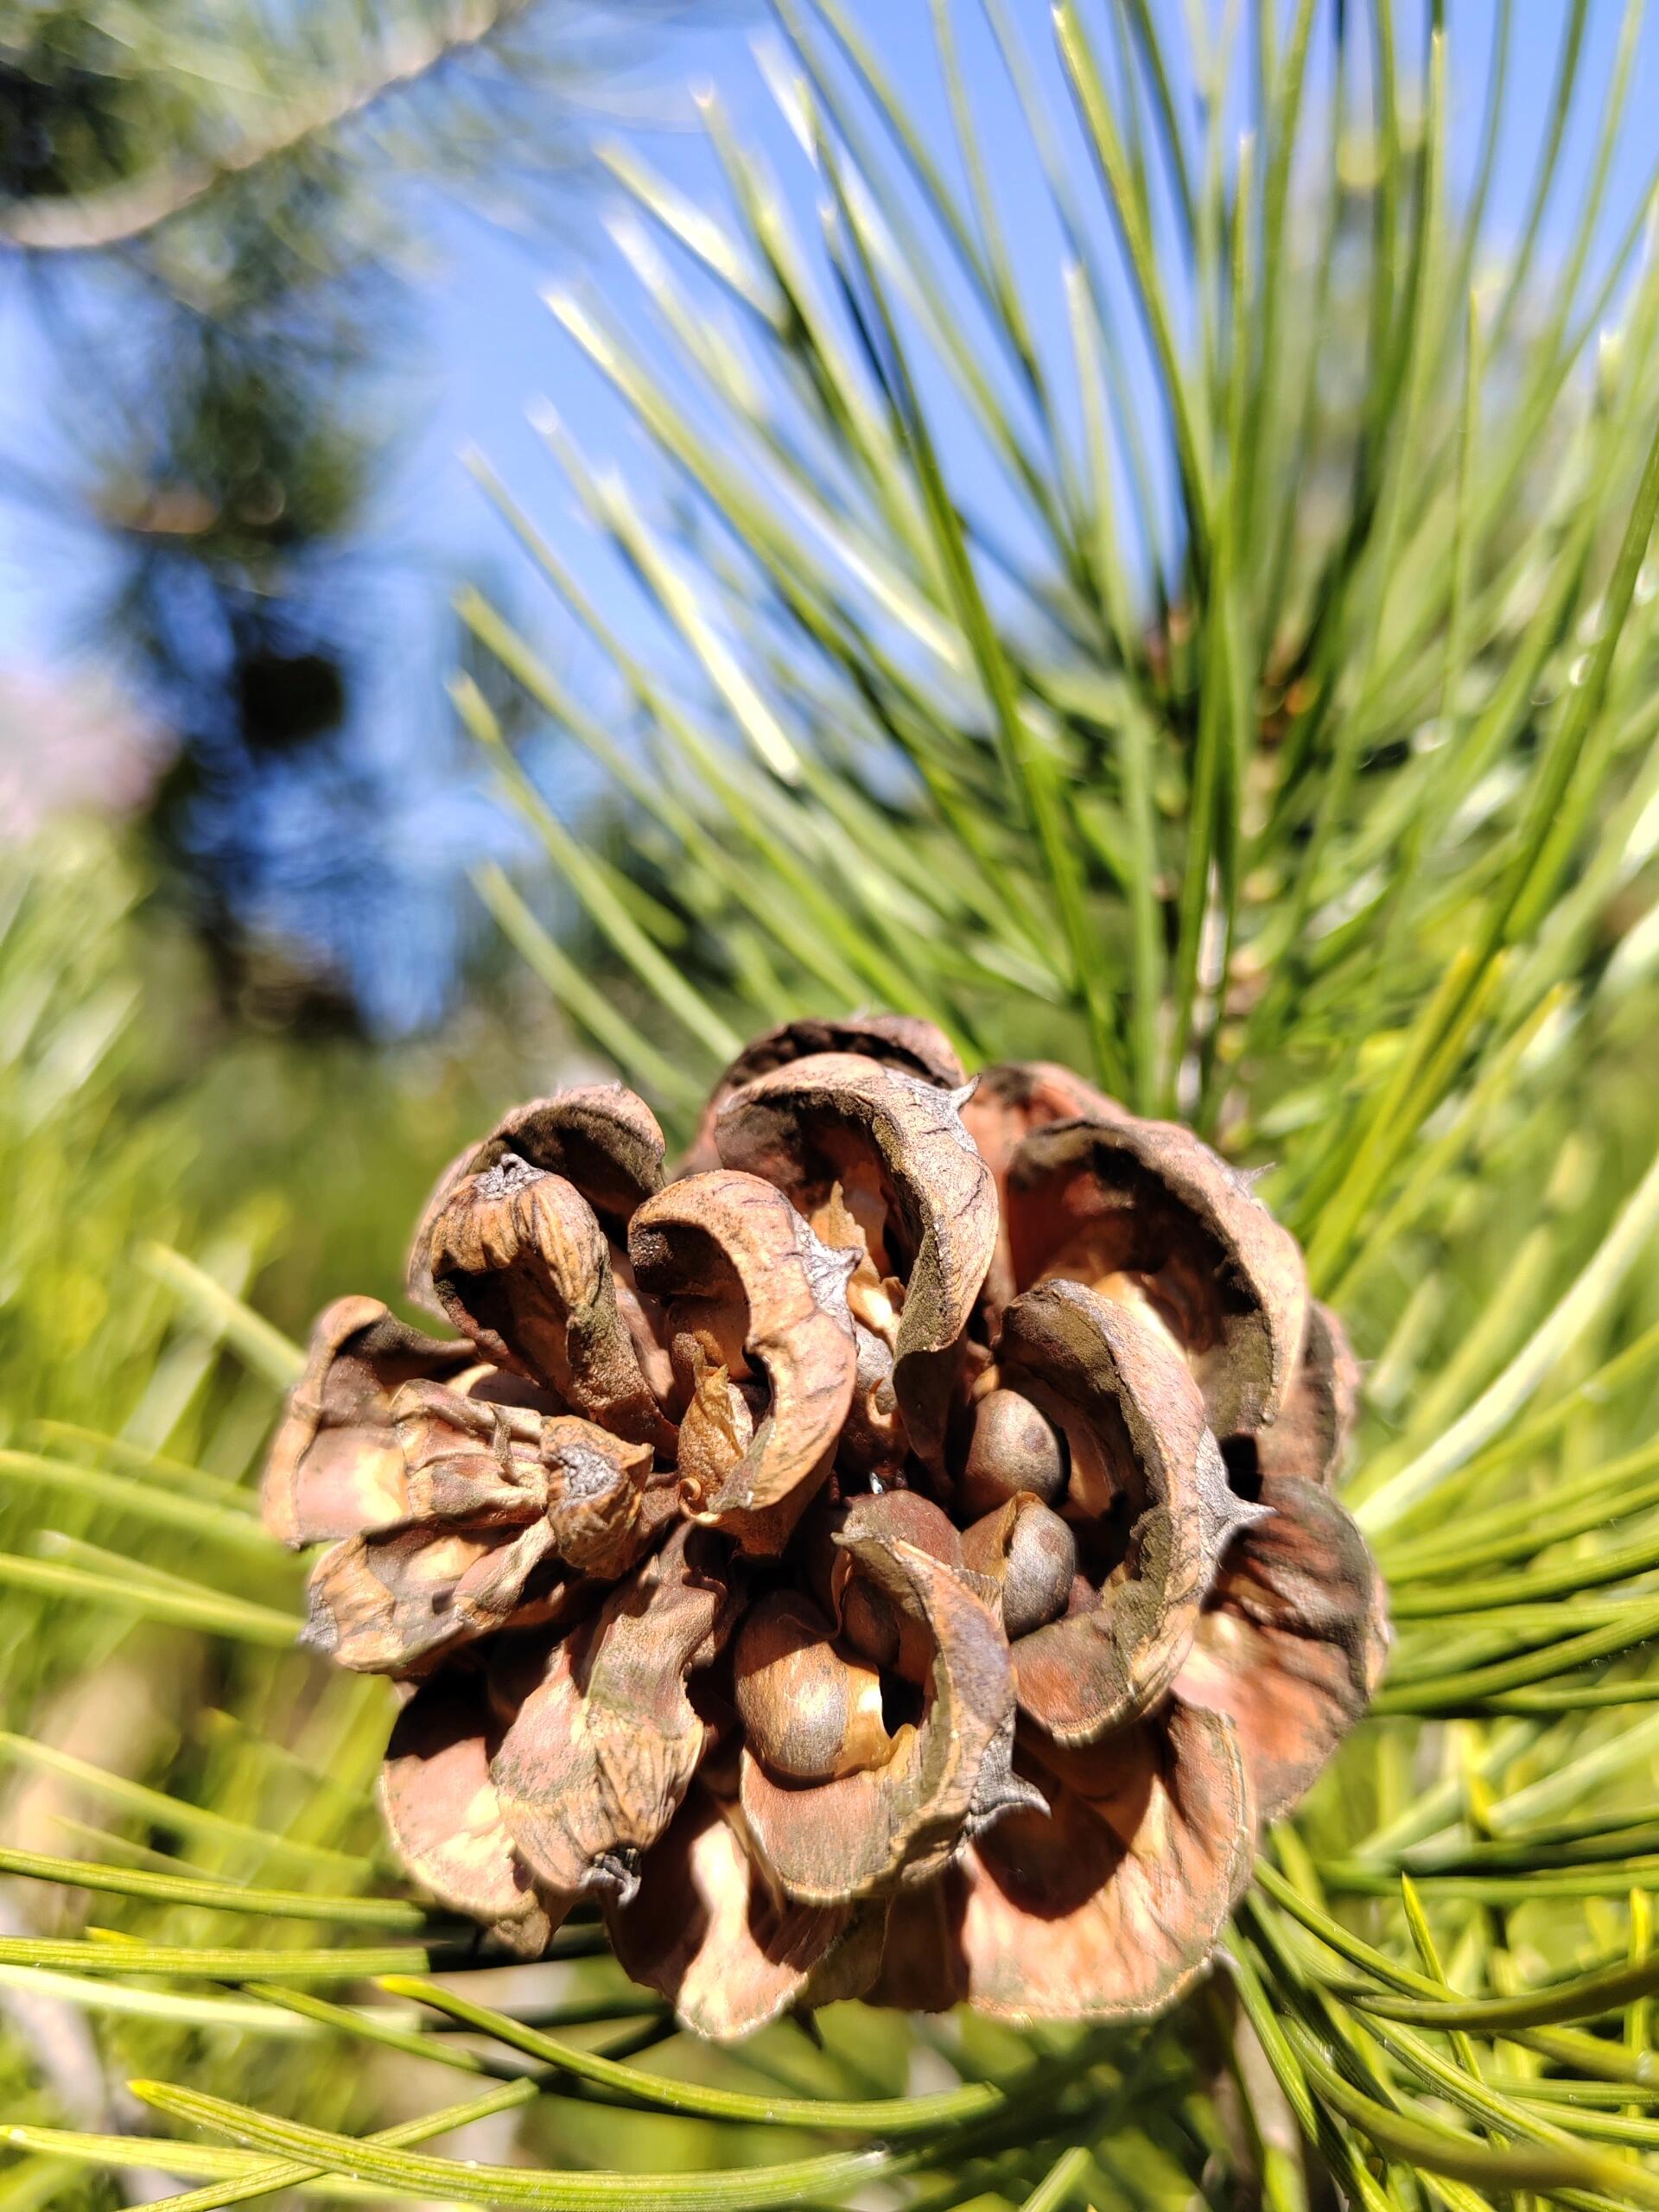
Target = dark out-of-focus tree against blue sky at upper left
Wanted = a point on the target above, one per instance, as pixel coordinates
(211, 216)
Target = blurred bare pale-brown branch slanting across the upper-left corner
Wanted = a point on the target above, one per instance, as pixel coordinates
(121, 213)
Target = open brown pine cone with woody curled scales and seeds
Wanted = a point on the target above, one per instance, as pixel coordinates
(895, 1558)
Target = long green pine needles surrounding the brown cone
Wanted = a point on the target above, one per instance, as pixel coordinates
(1293, 769)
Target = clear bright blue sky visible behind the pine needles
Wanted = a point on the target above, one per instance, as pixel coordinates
(488, 351)
